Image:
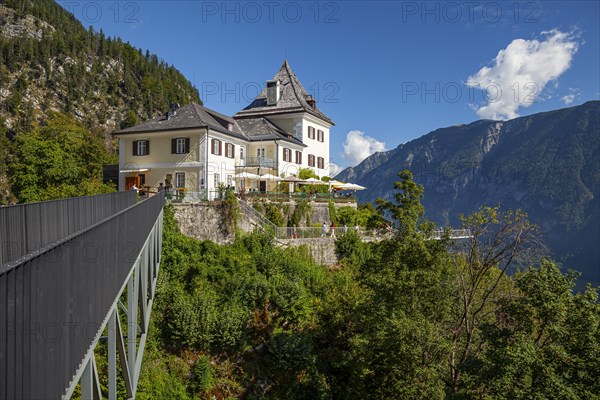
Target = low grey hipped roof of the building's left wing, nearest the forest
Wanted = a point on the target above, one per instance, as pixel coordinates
(189, 117)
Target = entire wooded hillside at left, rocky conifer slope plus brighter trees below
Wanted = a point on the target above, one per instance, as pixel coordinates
(56, 74)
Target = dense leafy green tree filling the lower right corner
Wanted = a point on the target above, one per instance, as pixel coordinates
(545, 342)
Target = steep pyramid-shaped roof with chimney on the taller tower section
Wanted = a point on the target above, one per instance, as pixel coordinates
(294, 98)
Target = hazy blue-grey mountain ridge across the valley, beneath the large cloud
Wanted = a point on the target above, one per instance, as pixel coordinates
(547, 164)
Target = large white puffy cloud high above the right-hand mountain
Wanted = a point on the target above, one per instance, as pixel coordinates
(520, 72)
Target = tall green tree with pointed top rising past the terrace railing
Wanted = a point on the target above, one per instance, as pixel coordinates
(398, 347)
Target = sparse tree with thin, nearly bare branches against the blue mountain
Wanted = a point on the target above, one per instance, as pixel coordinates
(500, 240)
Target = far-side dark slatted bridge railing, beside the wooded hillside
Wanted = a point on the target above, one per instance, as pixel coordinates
(25, 228)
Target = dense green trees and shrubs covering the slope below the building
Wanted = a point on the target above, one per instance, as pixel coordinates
(400, 319)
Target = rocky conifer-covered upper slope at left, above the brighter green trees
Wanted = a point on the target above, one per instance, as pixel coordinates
(50, 63)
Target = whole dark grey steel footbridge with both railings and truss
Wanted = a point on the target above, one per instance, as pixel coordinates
(73, 273)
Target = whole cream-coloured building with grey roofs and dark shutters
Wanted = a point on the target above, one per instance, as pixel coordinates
(197, 150)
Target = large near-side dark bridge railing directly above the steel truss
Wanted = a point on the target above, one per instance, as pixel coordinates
(55, 303)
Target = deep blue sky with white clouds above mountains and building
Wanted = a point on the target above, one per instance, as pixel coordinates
(385, 71)
